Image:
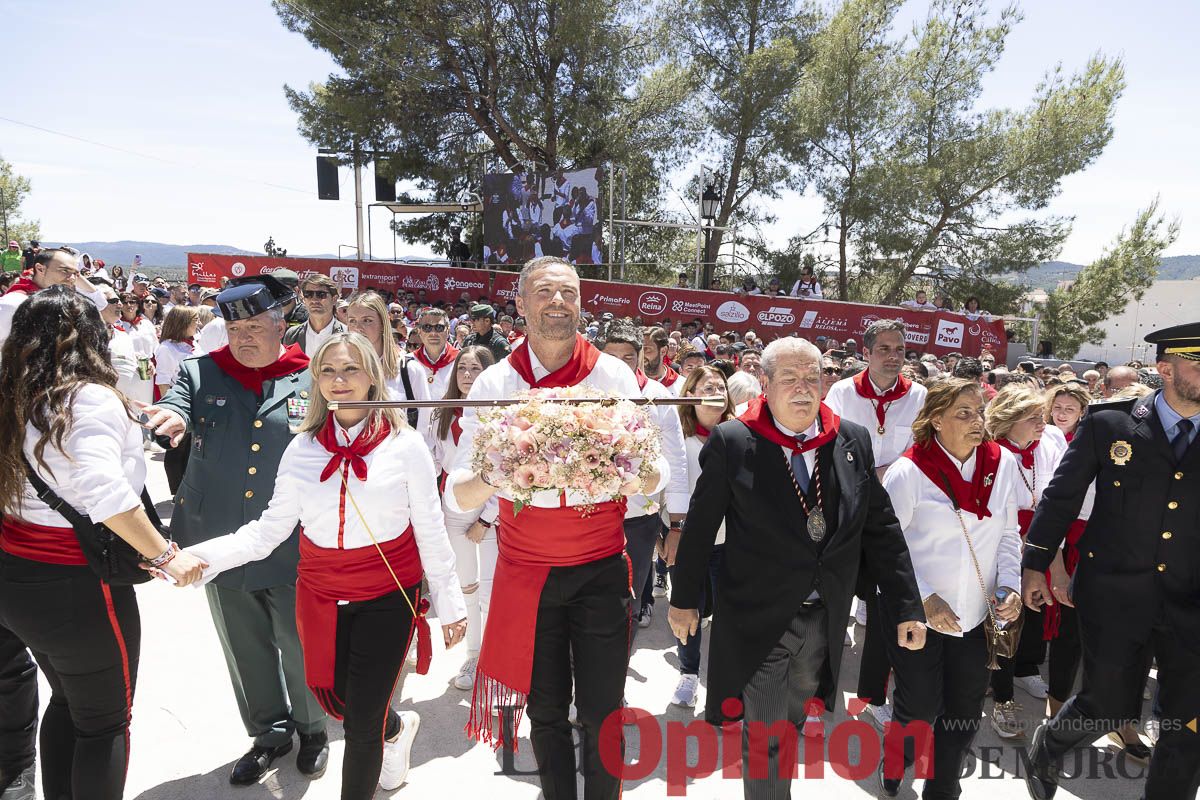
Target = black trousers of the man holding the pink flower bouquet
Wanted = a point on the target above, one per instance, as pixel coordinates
(584, 611)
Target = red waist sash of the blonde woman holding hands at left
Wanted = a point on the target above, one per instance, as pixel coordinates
(329, 575)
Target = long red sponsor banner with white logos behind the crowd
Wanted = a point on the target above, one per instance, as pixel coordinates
(938, 333)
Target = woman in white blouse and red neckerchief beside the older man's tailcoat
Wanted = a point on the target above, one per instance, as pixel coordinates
(956, 495)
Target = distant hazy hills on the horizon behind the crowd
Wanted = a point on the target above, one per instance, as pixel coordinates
(158, 255)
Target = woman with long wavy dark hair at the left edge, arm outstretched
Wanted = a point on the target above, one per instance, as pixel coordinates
(64, 418)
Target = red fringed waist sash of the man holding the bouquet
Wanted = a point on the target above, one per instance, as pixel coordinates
(530, 545)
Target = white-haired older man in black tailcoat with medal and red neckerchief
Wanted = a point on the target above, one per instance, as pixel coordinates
(802, 507)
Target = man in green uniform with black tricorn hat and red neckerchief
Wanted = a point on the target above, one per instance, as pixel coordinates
(239, 404)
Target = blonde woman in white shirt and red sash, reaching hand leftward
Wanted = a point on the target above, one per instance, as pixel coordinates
(361, 484)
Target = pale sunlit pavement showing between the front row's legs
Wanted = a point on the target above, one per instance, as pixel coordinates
(187, 732)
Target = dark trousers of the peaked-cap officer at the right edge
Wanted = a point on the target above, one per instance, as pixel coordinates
(1111, 696)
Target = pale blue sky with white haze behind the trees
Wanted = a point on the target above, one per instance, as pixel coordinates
(200, 88)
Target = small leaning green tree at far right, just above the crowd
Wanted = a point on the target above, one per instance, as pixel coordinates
(1072, 317)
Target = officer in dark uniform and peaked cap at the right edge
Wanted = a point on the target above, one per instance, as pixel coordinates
(1137, 590)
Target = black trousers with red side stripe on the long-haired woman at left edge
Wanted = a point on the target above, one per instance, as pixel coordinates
(86, 637)
